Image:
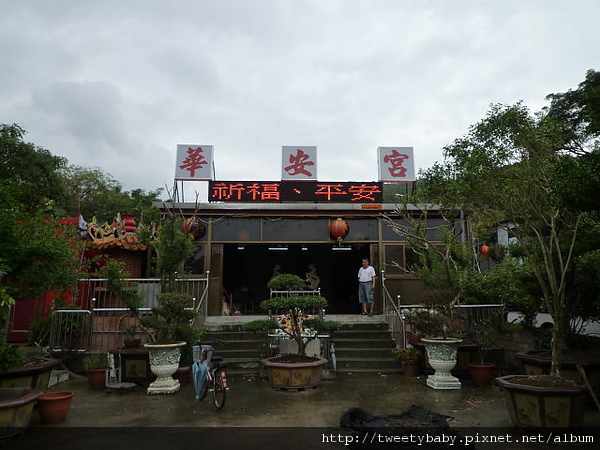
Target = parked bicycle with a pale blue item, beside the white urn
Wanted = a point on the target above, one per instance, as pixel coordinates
(215, 378)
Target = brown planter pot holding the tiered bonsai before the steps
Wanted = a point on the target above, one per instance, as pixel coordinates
(294, 376)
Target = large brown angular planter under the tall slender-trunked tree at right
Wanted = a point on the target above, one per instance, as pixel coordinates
(539, 407)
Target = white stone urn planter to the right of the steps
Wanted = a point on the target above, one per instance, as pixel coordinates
(441, 355)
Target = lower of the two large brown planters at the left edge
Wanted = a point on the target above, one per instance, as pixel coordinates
(16, 406)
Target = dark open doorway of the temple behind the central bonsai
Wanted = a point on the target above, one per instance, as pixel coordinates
(247, 268)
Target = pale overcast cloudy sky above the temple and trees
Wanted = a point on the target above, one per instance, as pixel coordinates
(117, 84)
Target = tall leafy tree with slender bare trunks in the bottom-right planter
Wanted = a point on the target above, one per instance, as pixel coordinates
(506, 169)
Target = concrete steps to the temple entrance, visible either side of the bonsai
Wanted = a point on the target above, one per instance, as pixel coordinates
(362, 345)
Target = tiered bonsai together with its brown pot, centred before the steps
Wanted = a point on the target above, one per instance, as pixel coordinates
(297, 370)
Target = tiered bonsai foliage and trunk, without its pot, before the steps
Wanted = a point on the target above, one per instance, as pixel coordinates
(293, 320)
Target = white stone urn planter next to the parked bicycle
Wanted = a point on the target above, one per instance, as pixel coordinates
(164, 362)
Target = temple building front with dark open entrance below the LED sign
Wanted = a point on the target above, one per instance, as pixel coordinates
(242, 245)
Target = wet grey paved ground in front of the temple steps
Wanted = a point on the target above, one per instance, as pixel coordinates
(255, 415)
